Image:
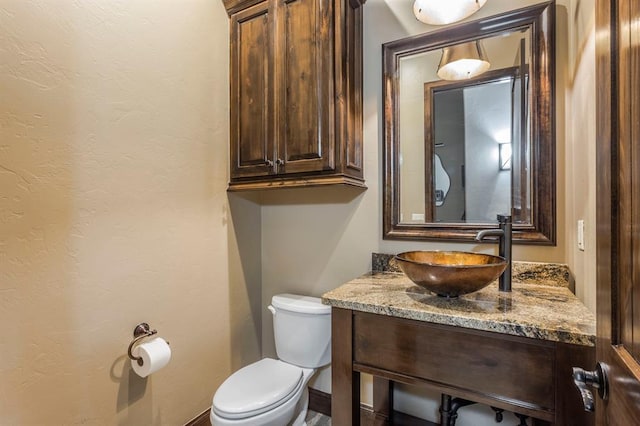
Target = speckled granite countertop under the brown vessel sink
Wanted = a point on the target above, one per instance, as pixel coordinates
(542, 310)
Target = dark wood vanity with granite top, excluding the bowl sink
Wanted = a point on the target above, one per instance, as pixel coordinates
(519, 367)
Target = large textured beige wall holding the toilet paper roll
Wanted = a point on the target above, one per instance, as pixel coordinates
(113, 210)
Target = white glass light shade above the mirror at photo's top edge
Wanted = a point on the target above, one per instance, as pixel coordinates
(441, 12)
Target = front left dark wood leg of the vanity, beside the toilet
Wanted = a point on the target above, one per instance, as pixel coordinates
(345, 383)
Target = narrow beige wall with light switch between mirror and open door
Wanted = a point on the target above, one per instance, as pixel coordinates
(579, 76)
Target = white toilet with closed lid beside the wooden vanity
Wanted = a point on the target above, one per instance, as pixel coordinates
(274, 392)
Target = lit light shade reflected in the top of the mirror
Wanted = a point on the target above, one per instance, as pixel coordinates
(463, 61)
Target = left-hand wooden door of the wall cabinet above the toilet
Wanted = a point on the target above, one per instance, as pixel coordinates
(252, 98)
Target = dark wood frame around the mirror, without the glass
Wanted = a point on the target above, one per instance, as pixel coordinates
(540, 18)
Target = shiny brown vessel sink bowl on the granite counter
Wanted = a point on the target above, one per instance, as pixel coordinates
(451, 273)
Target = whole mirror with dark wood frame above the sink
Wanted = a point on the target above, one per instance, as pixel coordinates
(457, 153)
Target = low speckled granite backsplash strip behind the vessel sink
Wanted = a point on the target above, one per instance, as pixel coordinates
(552, 274)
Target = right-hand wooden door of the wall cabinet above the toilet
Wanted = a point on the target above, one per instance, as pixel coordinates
(305, 86)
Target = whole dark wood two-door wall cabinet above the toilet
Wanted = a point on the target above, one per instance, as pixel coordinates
(296, 93)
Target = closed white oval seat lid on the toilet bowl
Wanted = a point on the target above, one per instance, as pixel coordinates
(256, 388)
